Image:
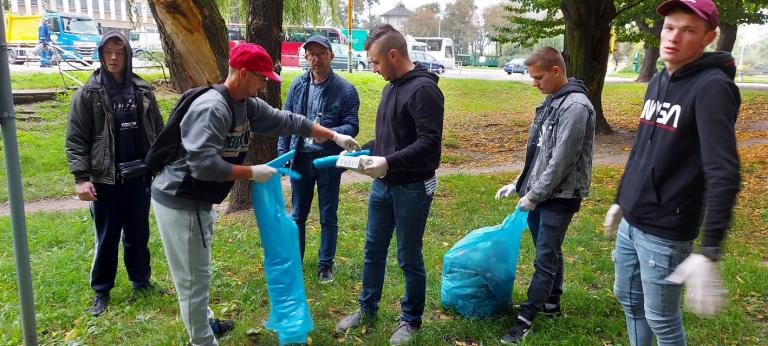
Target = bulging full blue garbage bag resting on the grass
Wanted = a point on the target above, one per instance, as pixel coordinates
(479, 270)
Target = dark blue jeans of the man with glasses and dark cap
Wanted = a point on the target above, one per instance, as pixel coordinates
(302, 192)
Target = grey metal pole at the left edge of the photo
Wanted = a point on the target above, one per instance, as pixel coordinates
(15, 197)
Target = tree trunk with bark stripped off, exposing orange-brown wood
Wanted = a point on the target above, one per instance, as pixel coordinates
(194, 38)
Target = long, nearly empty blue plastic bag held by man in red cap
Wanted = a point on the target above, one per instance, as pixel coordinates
(289, 314)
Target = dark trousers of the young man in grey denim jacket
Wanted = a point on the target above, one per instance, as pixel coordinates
(548, 231)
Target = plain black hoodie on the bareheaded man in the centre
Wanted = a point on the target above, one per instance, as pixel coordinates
(409, 127)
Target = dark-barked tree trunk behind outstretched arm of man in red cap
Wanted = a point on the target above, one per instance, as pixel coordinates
(265, 22)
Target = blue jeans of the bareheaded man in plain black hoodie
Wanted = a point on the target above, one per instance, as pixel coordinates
(404, 210)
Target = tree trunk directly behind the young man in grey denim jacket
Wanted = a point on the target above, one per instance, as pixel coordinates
(586, 45)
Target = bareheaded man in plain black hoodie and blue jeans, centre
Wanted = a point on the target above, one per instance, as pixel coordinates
(405, 155)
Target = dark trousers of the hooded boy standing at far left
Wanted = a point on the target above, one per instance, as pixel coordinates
(121, 209)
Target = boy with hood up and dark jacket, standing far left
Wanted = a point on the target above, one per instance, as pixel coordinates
(113, 119)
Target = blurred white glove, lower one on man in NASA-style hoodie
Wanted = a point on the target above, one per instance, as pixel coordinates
(704, 293)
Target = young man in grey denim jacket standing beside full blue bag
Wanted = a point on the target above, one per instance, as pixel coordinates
(555, 178)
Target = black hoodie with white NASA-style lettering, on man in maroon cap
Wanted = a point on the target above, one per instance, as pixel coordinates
(684, 166)
